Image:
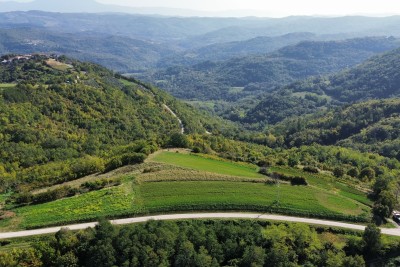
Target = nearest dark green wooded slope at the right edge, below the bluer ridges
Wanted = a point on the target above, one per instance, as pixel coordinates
(372, 126)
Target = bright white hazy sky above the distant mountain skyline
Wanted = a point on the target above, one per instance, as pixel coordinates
(277, 7)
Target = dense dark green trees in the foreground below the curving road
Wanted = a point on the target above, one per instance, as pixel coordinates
(208, 243)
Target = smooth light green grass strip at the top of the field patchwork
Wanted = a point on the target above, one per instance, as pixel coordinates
(205, 164)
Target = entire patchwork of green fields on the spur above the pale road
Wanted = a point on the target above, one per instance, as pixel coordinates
(189, 185)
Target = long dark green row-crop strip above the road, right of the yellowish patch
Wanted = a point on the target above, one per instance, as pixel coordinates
(194, 195)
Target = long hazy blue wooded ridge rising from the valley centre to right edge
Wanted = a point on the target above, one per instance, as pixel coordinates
(252, 75)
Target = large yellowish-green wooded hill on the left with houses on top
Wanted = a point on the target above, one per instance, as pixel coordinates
(60, 118)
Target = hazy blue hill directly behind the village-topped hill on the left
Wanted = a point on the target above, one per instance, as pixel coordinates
(119, 53)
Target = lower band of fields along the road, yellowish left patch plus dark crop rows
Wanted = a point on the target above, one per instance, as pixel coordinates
(144, 198)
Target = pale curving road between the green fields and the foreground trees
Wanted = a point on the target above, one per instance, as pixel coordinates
(258, 216)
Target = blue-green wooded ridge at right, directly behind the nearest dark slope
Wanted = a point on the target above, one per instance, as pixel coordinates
(377, 78)
